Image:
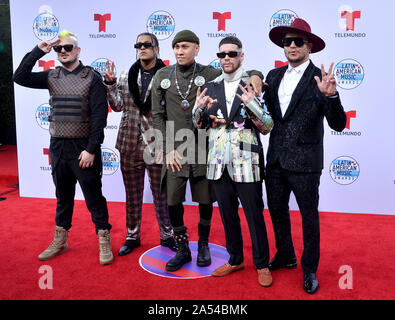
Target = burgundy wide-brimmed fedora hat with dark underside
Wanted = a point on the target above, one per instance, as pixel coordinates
(298, 26)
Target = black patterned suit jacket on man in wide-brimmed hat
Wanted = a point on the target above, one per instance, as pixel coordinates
(296, 140)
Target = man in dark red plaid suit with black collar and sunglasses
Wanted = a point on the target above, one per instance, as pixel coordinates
(132, 96)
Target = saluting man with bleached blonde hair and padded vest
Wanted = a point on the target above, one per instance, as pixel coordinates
(77, 119)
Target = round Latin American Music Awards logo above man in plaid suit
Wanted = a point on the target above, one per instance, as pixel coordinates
(161, 24)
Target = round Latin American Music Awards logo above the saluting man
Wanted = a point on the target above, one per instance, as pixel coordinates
(45, 25)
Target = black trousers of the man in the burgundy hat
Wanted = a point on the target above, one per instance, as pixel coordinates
(305, 186)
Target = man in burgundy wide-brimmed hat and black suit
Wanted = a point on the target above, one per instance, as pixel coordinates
(298, 97)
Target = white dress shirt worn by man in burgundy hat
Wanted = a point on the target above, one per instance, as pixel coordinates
(288, 84)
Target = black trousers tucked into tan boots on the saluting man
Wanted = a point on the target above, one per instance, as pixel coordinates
(65, 174)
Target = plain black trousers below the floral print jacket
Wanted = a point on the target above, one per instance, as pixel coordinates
(227, 193)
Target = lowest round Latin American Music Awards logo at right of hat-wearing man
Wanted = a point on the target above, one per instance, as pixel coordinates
(344, 170)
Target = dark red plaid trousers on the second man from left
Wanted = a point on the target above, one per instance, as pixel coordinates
(133, 171)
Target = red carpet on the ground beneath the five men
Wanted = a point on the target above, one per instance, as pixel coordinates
(364, 242)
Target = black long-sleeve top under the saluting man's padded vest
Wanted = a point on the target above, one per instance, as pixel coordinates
(66, 147)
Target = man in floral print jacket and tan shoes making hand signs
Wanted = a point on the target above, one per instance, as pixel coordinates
(235, 119)
